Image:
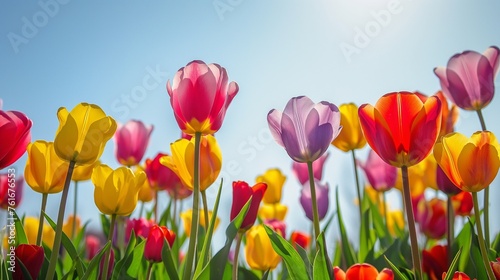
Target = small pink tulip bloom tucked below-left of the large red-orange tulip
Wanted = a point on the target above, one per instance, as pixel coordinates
(380, 175)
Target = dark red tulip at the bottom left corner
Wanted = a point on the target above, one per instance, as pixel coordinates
(31, 256)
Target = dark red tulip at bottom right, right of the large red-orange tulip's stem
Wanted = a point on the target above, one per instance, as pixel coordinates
(435, 261)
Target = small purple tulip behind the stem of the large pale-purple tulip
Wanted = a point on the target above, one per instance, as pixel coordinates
(322, 200)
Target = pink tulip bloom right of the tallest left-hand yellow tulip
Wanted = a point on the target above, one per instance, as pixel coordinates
(131, 140)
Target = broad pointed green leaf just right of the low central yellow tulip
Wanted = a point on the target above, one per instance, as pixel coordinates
(294, 264)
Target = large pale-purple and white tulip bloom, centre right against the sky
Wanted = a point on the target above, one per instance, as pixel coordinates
(305, 129)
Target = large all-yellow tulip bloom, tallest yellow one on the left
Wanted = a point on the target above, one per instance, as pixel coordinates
(83, 133)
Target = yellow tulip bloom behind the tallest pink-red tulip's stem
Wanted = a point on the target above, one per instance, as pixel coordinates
(182, 161)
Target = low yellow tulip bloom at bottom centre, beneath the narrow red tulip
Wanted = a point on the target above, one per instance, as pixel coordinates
(259, 252)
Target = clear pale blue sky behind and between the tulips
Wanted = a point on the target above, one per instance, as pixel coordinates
(119, 55)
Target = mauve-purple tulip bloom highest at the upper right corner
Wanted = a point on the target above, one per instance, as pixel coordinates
(468, 79)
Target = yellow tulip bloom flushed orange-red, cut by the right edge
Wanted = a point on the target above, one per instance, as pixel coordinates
(470, 163)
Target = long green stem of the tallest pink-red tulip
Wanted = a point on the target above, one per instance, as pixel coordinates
(195, 218)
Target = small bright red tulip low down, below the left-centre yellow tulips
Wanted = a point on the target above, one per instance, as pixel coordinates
(154, 242)
